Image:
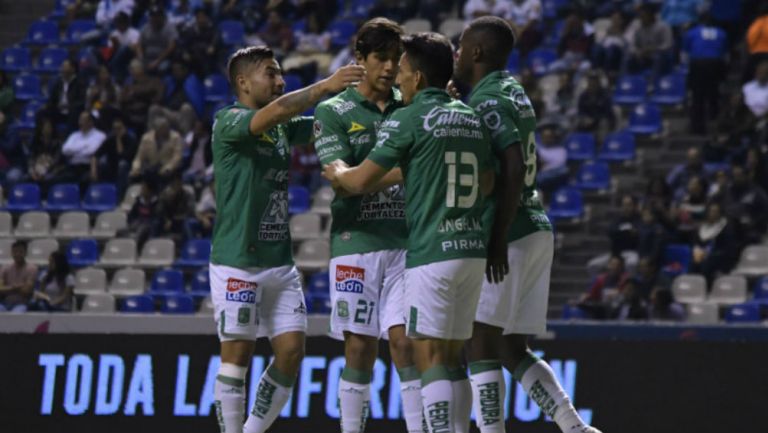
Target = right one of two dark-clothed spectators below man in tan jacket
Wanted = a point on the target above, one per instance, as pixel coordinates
(175, 206)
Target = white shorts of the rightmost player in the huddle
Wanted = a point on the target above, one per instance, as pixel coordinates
(519, 303)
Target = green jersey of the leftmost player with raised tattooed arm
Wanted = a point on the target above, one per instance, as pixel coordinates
(251, 171)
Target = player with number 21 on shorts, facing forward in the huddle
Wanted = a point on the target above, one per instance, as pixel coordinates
(368, 233)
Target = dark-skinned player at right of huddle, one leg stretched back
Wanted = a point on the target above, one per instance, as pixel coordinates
(521, 241)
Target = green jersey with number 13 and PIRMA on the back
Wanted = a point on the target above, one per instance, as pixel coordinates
(442, 147)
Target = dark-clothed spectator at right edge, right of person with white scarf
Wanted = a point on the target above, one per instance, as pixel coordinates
(746, 203)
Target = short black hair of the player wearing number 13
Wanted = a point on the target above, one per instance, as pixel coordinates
(432, 55)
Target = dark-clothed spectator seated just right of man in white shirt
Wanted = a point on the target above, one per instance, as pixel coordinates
(112, 162)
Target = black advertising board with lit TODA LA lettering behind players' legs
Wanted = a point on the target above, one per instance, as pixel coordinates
(641, 379)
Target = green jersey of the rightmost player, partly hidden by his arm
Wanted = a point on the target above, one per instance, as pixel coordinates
(508, 114)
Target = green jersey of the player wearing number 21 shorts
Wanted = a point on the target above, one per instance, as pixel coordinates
(345, 128)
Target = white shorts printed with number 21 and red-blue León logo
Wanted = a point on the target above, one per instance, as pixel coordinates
(367, 293)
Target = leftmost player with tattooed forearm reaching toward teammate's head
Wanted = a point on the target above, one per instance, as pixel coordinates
(255, 288)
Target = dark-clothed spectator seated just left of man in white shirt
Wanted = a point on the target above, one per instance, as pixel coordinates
(45, 161)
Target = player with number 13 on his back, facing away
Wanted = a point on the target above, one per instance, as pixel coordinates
(445, 156)
